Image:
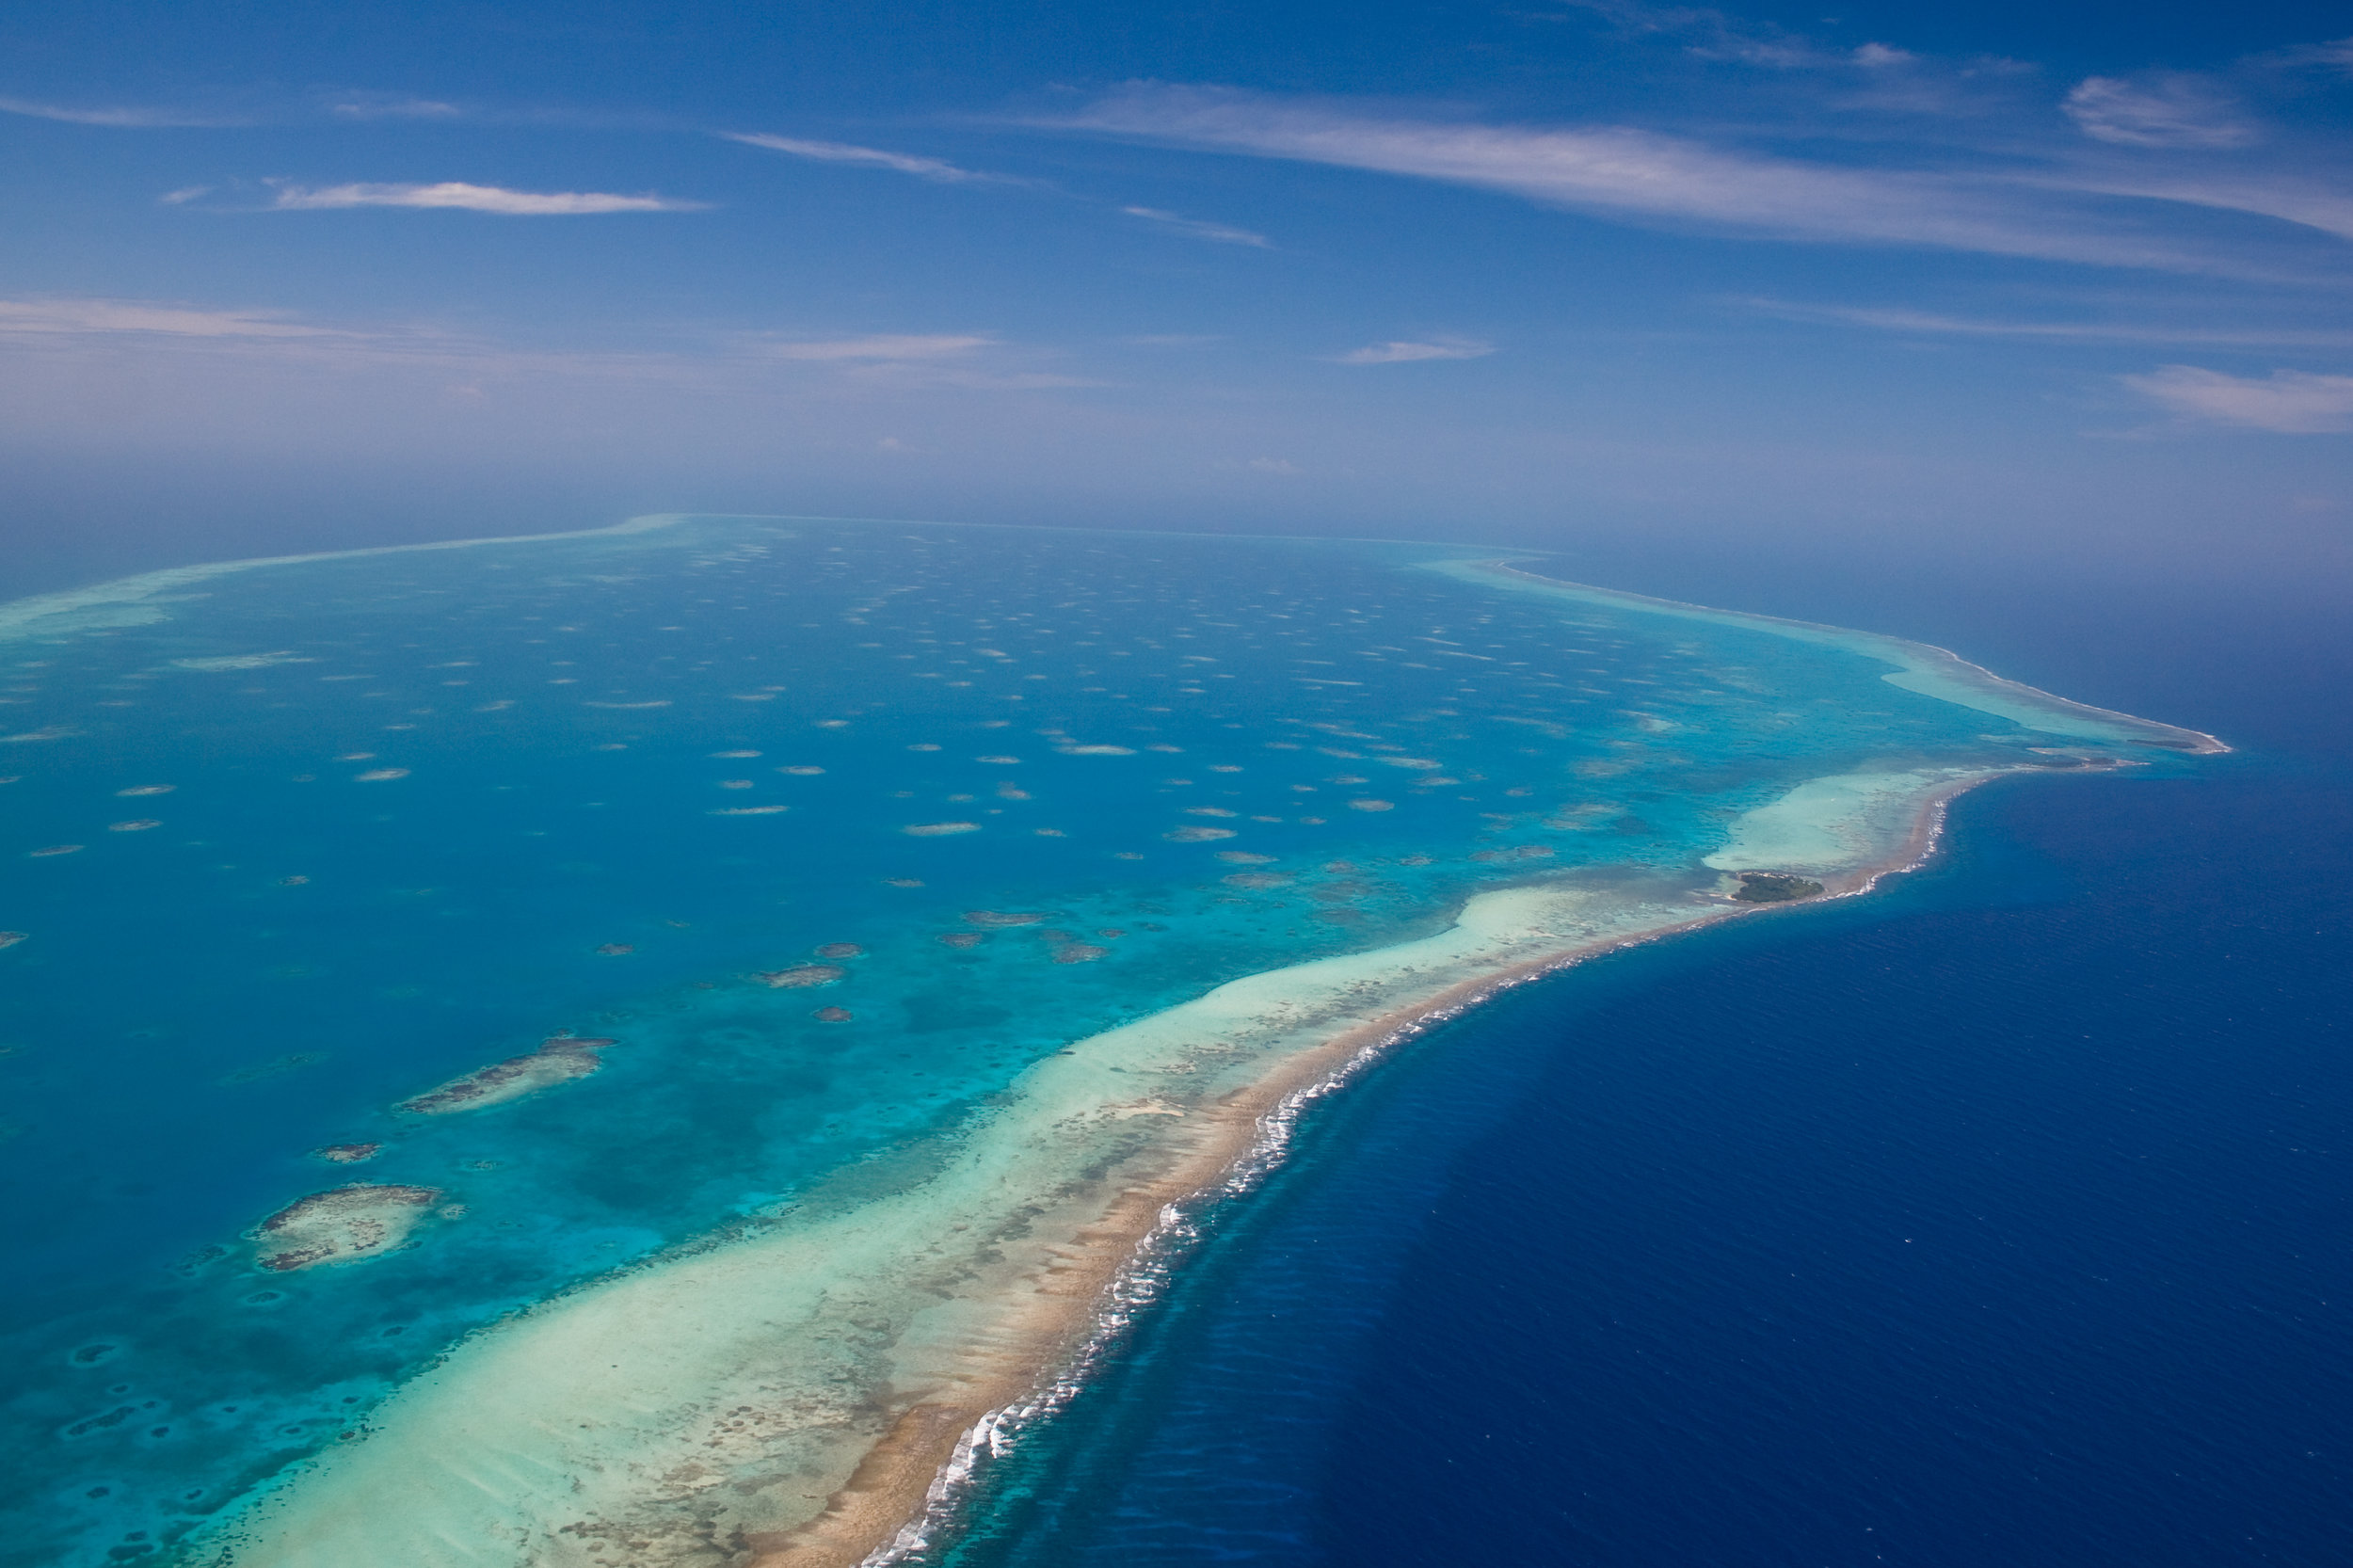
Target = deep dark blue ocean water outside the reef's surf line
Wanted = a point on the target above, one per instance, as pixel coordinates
(2001, 1218)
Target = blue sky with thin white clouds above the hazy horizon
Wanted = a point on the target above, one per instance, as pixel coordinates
(2001, 284)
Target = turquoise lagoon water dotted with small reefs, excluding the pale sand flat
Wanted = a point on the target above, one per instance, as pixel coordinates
(415, 813)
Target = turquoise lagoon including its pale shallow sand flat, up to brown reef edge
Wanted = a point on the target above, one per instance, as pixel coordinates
(293, 844)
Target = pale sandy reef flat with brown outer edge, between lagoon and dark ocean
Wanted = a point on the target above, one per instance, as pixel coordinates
(789, 1397)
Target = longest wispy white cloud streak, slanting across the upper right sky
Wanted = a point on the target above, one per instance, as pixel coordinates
(1641, 175)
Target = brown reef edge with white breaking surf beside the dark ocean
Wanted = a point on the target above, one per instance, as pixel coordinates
(914, 1484)
